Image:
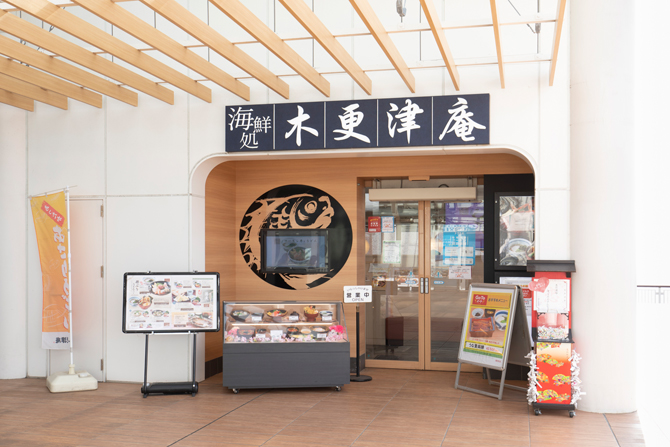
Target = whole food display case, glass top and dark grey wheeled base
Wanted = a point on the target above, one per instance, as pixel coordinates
(285, 345)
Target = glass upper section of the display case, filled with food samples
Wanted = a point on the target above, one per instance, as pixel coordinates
(284, 323)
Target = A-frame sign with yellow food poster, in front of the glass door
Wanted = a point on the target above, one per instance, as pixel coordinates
(494, 332)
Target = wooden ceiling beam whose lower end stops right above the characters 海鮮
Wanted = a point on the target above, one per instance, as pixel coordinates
(118, 16)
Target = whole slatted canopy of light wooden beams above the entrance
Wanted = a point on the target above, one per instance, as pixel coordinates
(60, 69)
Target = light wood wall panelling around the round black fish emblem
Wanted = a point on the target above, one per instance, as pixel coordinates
(341, 178)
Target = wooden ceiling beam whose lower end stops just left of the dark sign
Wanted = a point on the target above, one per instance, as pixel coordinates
(93, 35)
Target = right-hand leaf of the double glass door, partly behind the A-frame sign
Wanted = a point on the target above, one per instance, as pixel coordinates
(456, 261)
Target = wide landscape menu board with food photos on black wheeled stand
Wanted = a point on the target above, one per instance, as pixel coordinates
(170, 303)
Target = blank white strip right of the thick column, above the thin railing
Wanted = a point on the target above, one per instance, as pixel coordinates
(652, 157)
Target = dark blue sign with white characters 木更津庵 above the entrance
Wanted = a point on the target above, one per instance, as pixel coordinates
(368, 123)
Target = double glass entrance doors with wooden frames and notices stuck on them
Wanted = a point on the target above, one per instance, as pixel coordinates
(420, 260)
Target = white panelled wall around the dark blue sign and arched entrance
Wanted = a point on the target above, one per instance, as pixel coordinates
(141, 161)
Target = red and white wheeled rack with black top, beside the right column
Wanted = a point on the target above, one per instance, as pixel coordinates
(554, 383)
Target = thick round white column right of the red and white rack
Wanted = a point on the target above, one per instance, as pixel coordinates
(602, 201)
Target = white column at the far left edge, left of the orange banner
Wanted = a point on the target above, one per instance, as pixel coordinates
(14, 205)
